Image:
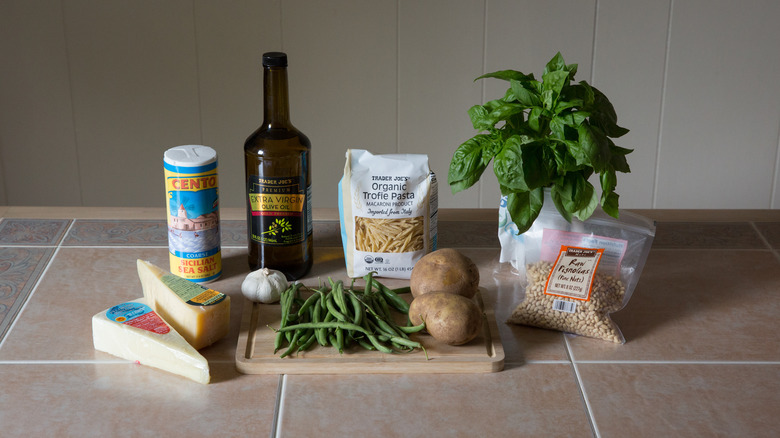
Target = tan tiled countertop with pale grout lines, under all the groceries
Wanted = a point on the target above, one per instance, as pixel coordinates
(702, 356)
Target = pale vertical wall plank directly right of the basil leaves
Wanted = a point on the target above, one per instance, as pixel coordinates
(629, 59)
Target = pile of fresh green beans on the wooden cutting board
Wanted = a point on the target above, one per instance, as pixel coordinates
(341, 317)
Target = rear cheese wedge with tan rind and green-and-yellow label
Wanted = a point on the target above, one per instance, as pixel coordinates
(199, 314)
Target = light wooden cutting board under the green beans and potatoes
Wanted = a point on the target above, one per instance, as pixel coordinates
(255, 350)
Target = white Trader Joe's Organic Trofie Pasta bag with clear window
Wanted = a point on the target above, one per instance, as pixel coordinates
(388, 212)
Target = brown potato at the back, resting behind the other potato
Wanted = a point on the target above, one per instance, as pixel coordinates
(444, 270)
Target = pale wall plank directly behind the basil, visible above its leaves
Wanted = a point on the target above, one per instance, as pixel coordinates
(523, 37)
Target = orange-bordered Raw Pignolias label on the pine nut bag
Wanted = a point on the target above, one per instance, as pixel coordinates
(573, 272)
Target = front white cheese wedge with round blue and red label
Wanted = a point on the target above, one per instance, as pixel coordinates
(133, 331)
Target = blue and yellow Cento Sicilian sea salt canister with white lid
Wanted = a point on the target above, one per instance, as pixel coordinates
(192, 195)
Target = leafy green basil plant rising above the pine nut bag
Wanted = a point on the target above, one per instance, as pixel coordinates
(552, 133)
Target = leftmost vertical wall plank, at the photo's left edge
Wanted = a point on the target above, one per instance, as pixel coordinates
(37, 138)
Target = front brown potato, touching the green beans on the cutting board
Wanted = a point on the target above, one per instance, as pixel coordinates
(449, 318)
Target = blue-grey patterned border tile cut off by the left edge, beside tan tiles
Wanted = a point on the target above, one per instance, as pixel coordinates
(19, 270)
